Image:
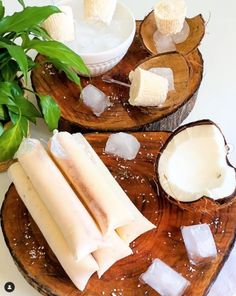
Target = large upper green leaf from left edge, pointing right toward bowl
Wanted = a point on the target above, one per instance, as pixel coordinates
(26, 19)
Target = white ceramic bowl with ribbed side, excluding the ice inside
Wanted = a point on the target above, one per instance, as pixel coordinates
(101, 62)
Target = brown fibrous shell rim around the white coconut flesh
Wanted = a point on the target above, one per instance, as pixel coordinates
(205, 204)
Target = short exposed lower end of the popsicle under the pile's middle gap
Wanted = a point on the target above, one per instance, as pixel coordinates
(108, 256)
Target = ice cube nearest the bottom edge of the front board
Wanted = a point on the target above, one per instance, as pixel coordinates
(164, 280)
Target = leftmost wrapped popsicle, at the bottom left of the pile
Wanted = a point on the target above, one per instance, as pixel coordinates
(78, 271)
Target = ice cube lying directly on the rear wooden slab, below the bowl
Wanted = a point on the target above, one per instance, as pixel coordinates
(95, 99)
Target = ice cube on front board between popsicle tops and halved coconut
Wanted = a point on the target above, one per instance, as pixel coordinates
(122, 145)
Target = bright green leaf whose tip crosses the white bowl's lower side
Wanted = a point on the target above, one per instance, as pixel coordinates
(60, 52)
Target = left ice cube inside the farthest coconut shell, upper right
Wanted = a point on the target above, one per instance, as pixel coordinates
(163, 43)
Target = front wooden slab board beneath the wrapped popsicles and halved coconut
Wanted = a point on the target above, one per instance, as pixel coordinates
(41, 269)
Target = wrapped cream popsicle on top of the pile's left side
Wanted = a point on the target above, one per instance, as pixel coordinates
(77, 226)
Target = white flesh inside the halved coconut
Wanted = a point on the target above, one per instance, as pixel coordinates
(194, 165)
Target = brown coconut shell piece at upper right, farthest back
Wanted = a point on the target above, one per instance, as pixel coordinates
(197, 31)
